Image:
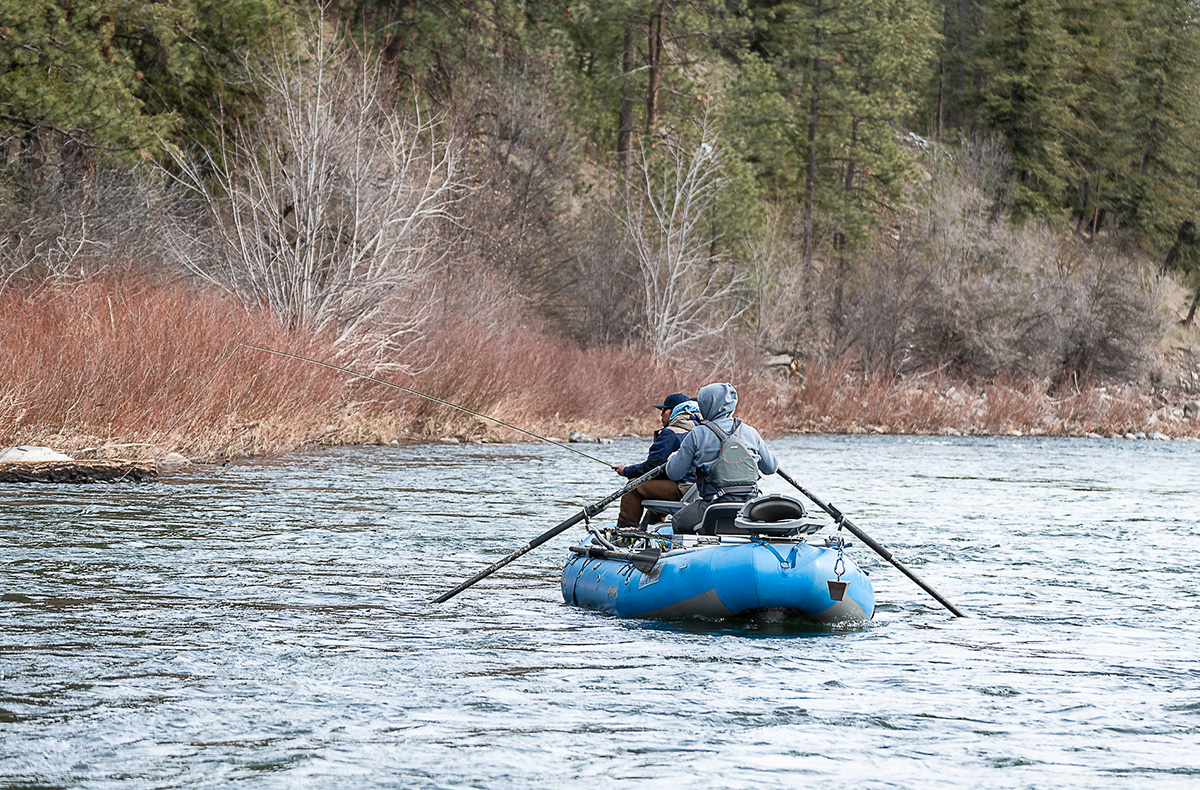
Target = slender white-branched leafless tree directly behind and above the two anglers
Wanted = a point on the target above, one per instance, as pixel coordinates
(689, 290)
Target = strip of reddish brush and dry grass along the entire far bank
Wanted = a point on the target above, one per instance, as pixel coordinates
(109, 370)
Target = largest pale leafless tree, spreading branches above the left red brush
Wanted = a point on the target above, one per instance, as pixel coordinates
(331, 207)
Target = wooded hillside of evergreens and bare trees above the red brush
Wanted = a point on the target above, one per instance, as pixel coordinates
(884, 190)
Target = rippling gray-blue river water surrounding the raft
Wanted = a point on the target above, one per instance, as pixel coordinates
(267, 626)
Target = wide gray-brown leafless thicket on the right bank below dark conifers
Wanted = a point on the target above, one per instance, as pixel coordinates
(962, 286)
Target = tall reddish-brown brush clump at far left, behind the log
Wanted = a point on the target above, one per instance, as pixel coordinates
(101, 363)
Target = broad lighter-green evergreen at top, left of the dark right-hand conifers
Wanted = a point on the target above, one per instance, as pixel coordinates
(844, 79)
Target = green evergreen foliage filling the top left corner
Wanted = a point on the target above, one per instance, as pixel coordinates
(117, 76)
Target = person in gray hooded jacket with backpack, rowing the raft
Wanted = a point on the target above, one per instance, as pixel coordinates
(699, 451)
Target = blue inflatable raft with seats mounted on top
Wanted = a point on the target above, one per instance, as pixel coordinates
(765, 560)
